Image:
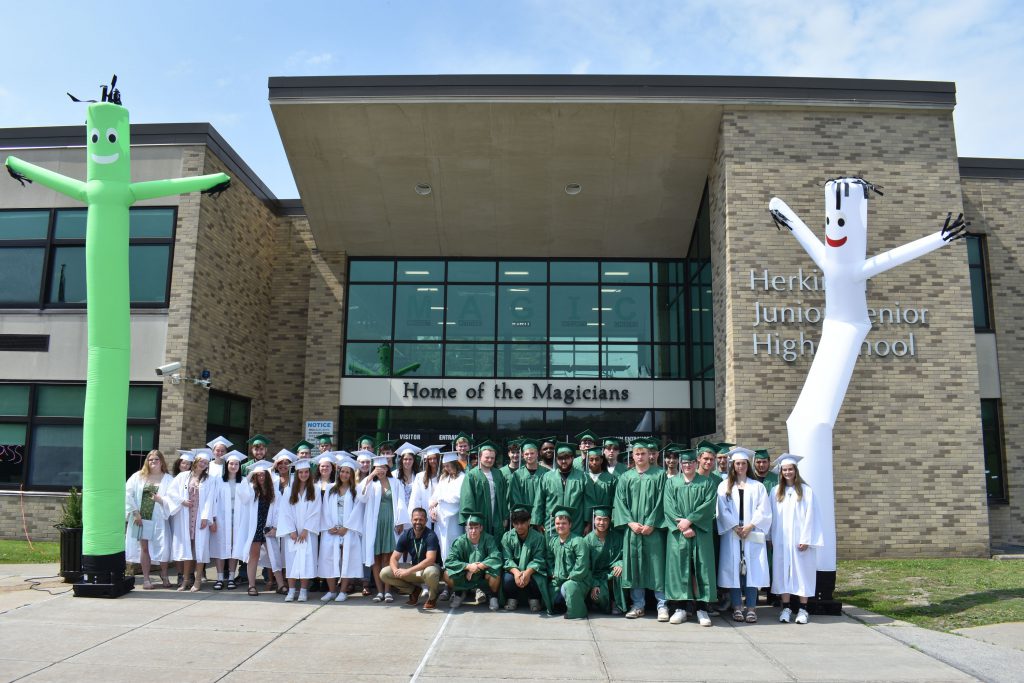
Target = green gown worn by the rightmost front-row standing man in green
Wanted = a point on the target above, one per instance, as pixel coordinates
(690, 561)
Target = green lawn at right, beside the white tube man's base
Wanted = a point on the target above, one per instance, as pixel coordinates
(937, 594)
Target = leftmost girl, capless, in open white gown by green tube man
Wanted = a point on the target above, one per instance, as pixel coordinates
(148, 536)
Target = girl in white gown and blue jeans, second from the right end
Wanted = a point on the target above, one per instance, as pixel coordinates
(744, 523)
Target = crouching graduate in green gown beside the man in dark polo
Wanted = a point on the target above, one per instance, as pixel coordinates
(475, 563)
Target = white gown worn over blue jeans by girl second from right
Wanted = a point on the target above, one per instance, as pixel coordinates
(757, 510)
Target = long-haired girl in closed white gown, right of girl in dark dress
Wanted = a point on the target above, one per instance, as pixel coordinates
(298, 522)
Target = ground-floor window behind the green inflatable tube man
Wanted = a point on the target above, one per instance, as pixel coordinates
(41, 434)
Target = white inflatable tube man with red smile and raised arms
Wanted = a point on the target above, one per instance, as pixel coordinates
(843, 262)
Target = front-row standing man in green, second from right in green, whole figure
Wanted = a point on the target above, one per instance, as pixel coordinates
(638, 513)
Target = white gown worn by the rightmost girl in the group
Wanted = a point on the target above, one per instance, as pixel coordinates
(795, 522)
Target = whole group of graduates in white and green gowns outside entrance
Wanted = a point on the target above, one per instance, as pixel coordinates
(563, 528)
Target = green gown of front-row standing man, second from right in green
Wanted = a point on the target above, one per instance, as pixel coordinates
(639, 499)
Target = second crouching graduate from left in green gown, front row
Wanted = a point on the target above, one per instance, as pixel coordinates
(527, 575)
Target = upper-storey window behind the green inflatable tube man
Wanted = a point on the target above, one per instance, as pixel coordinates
(42, 258)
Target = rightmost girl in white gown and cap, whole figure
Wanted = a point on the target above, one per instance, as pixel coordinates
(796, 534)
